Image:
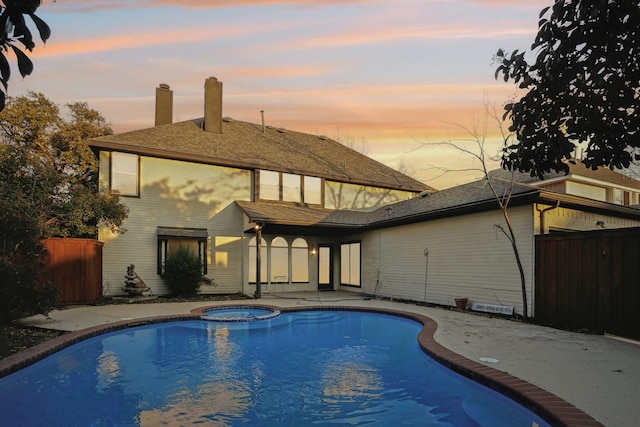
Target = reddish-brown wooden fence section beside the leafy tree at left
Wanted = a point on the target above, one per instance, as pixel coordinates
(74, 266)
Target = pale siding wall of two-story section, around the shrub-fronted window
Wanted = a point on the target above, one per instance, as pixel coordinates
(179, 194)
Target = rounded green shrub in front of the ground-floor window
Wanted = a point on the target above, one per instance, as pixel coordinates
(183, 272)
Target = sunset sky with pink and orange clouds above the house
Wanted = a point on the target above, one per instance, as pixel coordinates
(389, 77)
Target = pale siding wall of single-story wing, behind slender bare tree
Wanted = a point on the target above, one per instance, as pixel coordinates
(468, 257)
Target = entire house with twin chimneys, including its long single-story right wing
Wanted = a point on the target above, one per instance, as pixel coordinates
(322, 216)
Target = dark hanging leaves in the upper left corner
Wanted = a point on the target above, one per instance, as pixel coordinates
(14, 29)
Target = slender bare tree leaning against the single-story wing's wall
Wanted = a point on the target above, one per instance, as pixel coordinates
(477, 137)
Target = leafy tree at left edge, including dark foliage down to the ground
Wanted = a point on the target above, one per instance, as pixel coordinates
(48, 187)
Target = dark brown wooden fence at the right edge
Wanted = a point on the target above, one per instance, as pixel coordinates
(589, 281)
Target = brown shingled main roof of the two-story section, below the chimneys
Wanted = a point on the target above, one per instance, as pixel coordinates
(245, 145)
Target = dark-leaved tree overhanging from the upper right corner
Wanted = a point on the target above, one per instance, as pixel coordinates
(584, 87)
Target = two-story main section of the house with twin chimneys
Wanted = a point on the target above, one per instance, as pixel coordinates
(181, 182)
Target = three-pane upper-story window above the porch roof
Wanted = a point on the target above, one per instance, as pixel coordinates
(288, 187)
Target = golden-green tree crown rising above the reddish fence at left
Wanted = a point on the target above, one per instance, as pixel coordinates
(55, 150)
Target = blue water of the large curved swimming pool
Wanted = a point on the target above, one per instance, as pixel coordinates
(338, 368)
